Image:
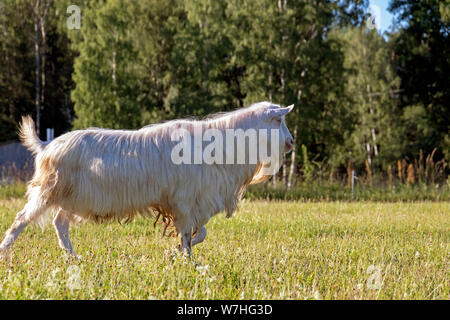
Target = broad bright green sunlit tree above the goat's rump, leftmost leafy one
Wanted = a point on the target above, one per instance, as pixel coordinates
(121, 73)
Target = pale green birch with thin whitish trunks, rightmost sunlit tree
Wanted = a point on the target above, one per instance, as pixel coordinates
(371, 90)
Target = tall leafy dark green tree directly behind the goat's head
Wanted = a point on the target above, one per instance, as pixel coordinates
(287, 57)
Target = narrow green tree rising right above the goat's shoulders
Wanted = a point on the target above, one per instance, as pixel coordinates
(203, 76)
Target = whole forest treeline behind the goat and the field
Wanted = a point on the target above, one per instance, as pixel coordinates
(359, 95)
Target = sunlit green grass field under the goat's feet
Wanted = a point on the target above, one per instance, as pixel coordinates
(268, 250)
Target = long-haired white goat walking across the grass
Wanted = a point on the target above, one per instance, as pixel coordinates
(100, 174)
